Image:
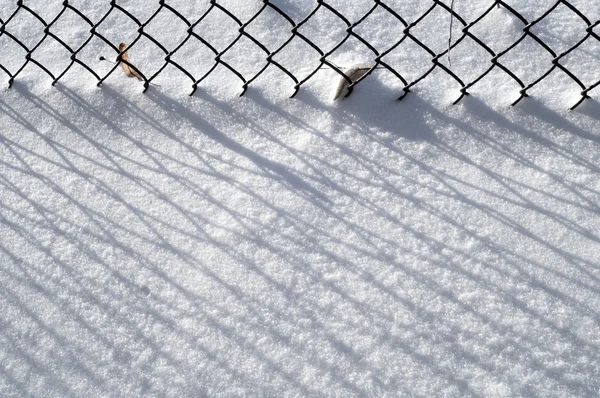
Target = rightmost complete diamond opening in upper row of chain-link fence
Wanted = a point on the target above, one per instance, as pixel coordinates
(550, 29)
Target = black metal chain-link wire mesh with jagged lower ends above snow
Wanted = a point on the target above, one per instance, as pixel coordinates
(294, 32)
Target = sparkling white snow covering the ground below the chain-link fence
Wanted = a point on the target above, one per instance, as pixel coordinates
(164, 245)
